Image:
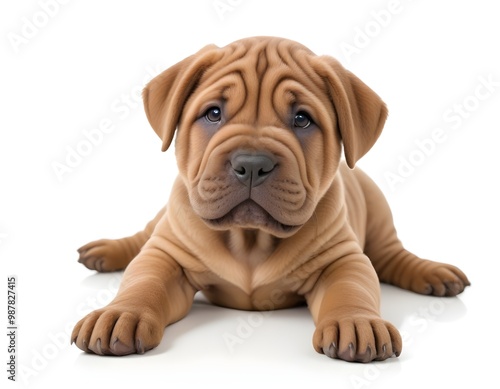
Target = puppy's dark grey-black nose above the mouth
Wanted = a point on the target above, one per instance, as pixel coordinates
(252, 169)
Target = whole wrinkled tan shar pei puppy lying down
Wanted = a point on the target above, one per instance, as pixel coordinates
(268, 210)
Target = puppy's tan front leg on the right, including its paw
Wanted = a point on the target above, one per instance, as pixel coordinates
(345, 307)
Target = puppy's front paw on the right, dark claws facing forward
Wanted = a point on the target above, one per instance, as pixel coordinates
(361, 339)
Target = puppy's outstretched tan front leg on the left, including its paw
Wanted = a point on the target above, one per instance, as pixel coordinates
(154, 293)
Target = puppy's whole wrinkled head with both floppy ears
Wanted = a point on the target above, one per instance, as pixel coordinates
(261, 125)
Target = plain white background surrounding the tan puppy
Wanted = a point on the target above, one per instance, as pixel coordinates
(85, 59)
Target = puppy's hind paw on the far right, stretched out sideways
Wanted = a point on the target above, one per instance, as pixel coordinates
(439, 279)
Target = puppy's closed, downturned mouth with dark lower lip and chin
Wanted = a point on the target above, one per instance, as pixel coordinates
(250, 215)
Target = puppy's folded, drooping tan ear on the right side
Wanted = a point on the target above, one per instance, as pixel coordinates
(361, 113)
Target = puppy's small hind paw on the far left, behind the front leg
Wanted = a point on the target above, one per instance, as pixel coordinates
(103, 255)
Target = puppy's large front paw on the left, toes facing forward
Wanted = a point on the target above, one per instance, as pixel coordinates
(117, 331)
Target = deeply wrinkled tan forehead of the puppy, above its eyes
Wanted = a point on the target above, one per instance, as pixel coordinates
(257, 72)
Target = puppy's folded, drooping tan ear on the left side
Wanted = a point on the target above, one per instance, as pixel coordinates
(165, 95)
